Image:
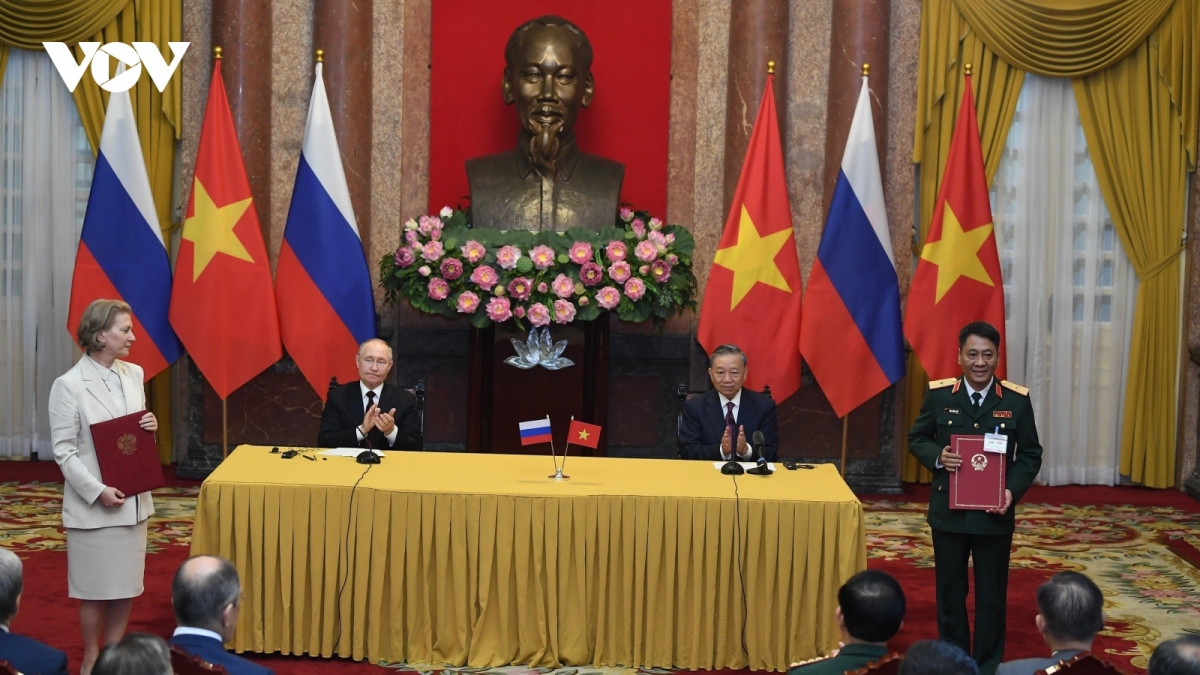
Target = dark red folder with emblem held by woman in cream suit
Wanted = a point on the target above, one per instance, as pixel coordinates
(128, 456)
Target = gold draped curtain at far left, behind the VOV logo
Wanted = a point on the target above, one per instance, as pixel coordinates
(27, 25)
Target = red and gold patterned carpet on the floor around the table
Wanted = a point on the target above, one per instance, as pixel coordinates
(1142, 547)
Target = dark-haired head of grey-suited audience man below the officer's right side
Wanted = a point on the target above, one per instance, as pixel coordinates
(1071, 612)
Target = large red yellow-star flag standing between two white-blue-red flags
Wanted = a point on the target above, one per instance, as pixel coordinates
(223, 304)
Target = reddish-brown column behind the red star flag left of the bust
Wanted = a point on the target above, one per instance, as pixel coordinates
(243, 31)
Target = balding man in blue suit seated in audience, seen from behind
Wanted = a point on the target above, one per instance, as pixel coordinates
(206, 595)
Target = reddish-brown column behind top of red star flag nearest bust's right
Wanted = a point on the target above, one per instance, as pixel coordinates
(758, 34)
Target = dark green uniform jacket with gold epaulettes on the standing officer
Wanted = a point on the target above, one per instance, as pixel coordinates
(949, 410)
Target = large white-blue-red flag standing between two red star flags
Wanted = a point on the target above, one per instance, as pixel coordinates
(853, 337)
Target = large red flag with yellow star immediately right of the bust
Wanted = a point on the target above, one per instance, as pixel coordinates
(753, 298)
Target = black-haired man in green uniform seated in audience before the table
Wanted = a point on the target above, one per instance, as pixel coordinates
(871, 612)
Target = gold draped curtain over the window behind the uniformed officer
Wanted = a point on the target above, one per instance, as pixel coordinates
(1138, 67)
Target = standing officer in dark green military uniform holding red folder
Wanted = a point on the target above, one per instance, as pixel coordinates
(975, 404)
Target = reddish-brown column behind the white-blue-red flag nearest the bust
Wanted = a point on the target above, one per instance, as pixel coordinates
(344, 32)
